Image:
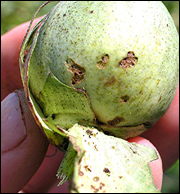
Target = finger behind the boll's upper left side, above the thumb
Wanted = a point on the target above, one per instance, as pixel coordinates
(10, 50)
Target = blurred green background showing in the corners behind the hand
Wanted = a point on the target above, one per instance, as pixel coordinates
(14, 13)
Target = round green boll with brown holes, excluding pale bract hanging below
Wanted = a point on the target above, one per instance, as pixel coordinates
(113, 65)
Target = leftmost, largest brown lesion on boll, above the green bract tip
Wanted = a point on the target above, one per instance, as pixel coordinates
(77, 71)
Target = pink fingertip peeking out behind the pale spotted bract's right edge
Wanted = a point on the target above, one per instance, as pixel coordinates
(156, 165)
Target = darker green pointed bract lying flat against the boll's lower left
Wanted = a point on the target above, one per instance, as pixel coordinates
(64, 104)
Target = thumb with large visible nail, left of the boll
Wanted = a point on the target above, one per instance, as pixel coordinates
(23, 145)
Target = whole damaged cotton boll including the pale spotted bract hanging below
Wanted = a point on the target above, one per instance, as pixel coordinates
(95, 73)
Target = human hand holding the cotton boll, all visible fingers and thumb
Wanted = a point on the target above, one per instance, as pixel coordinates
(22, 156)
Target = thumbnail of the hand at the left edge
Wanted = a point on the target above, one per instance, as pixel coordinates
(13, 130)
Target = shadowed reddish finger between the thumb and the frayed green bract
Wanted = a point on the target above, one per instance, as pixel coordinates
(45, 177)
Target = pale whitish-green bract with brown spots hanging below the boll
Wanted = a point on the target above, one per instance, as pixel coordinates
(108, 164)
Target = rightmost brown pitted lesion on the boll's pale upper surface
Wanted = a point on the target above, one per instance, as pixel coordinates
(128, 62)
